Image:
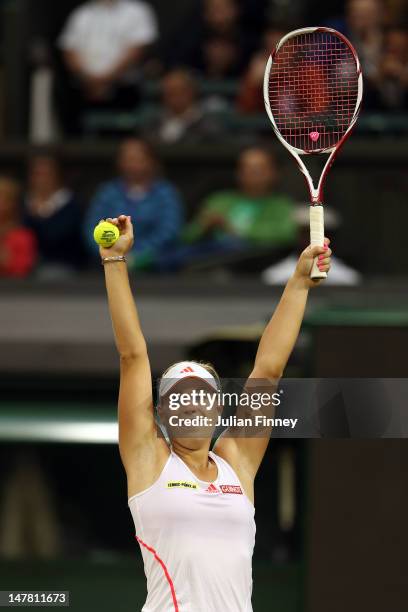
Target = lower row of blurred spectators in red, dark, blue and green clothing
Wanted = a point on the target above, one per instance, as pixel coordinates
(46, 229)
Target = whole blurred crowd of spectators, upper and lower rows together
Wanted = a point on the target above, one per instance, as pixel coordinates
(111, 56)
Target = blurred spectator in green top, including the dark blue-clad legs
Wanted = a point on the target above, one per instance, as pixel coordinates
(253, 220)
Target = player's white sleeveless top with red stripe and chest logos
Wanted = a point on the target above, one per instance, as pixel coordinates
(197, 540)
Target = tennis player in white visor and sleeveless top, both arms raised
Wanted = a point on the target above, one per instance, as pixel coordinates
(193, 508)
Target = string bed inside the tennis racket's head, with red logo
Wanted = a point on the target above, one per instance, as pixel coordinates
(313, 90)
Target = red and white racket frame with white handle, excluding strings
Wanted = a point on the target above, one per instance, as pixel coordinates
(315, 193)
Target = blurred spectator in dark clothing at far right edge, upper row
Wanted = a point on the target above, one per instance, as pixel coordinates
(393, 71)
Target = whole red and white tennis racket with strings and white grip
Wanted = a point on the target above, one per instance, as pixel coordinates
(313, 89)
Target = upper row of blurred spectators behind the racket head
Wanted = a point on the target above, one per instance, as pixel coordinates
(110, 51)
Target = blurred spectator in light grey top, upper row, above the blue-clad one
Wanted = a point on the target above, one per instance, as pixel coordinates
(182, 117)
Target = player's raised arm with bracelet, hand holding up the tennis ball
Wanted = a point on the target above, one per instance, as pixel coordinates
(136, 418)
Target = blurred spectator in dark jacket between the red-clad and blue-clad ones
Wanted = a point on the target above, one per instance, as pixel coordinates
(53, 213)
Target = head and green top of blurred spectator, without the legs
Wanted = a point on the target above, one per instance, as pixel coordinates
(254, 215)
